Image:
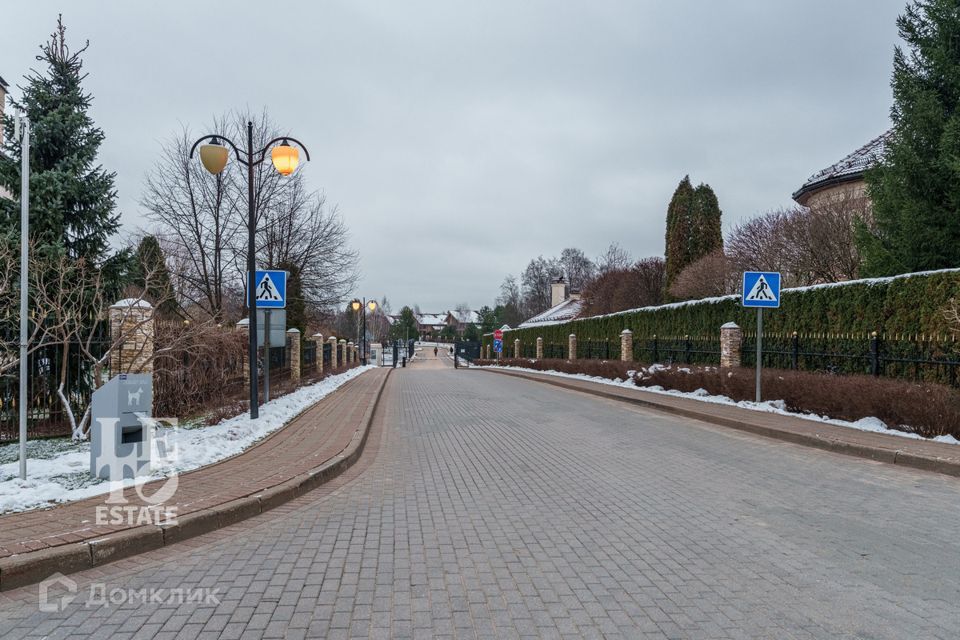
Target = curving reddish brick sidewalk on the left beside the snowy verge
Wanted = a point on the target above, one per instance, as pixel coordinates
(318, 435)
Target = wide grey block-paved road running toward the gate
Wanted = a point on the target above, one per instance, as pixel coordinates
(492, 507)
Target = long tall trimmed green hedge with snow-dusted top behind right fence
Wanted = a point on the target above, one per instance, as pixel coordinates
(910, 304)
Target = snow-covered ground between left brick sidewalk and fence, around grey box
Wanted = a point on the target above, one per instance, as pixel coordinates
(58, 469)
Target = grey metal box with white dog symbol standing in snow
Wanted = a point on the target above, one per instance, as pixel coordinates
(120, 442)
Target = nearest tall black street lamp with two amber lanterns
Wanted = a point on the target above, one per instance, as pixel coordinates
(285, 159)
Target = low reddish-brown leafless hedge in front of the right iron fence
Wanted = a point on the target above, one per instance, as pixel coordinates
(926, 409)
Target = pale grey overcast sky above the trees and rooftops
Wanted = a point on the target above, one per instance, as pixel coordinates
(461, 139)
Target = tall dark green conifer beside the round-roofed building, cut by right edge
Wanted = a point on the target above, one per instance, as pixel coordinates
(915, 188)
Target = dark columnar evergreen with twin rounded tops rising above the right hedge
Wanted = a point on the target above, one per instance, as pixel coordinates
(693, 227)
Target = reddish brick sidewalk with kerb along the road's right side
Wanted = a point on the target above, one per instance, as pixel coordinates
(920, 454)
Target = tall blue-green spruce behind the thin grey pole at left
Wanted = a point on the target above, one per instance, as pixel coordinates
(72, 199)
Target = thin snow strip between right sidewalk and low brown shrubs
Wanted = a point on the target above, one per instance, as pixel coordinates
(770, 406)
